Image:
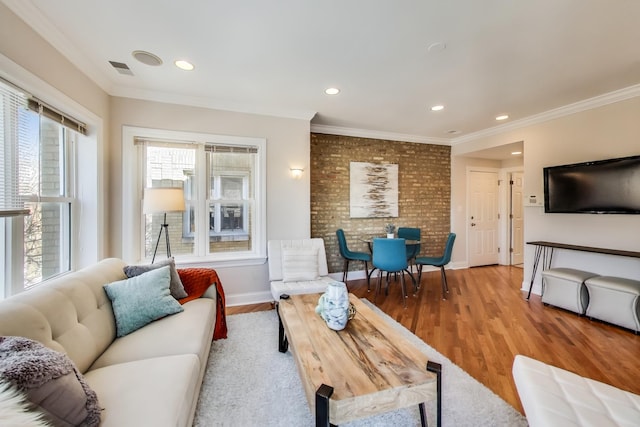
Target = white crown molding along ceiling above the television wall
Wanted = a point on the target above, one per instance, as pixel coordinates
(577, 107)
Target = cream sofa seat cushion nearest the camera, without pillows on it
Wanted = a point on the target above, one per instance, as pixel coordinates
(157, 392)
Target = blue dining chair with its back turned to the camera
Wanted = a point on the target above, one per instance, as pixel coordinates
(390, 256)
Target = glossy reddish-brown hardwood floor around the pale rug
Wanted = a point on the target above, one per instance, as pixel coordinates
(486, 321)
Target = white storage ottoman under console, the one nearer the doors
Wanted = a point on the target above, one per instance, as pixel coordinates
(564, 288)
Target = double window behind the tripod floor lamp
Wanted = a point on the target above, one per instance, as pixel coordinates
(223, 182)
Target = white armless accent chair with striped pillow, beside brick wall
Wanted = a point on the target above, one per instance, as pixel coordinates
(297, 267)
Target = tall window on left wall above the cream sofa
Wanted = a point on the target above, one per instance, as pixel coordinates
(37, 164)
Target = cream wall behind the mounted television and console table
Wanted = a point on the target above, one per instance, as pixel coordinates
(605, 132)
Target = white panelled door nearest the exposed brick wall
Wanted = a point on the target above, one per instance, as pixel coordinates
(482, 223)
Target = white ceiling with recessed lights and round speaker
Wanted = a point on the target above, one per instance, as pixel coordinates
(521, 58)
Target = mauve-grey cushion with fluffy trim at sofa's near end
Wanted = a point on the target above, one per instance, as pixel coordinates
(50, 381)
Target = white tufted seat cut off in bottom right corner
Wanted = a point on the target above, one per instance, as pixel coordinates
(554, 397)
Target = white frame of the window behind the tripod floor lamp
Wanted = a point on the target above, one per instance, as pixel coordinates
(133, 186)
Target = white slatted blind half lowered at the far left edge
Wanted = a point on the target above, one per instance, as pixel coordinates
(14, 134)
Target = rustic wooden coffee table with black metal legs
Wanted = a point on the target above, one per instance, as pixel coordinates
(366, 369)
